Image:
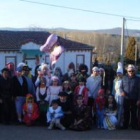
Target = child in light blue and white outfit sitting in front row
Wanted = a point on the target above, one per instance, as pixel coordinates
(54, 114)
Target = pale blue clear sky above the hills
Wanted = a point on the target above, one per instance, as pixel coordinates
(23, 14)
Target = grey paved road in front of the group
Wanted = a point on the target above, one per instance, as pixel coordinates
(22, 132)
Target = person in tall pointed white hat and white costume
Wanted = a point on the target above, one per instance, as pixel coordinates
(117, 94)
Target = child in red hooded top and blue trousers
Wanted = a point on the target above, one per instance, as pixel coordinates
(99, 107)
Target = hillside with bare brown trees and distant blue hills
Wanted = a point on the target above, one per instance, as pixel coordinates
(106, 43)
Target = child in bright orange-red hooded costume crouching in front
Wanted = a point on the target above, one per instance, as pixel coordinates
(30, 110)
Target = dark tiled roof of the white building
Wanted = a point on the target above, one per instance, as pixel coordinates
(12, 40)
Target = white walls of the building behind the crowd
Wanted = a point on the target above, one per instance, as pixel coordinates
(64, 60)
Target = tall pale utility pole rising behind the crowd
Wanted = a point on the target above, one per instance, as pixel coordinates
(122, 43)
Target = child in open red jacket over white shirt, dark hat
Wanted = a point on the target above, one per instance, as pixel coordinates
(81, 89)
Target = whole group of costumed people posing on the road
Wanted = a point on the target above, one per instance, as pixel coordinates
(75, 100)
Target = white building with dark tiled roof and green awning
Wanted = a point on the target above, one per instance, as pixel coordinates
(19, 46)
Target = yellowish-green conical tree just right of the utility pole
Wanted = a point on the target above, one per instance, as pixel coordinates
(130, 51)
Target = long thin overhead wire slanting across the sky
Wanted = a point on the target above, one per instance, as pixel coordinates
(83, 10)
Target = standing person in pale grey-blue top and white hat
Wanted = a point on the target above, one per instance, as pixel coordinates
(93, 85)
